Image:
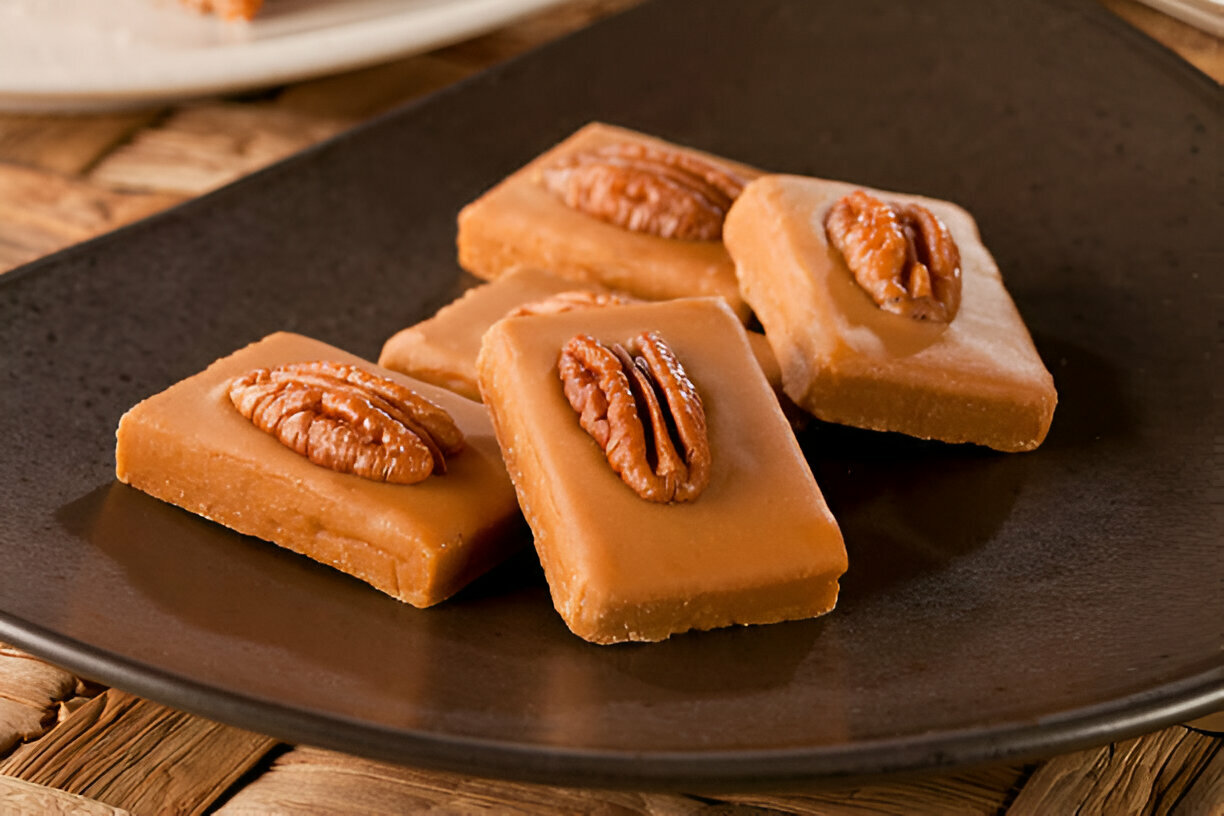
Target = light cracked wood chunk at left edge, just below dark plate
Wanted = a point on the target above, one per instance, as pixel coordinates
(30, 694)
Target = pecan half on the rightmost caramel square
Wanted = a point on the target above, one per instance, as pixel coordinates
(901, 255)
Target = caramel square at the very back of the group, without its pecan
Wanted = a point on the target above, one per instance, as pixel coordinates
(523, 223)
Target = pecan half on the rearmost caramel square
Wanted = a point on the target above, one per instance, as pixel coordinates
(659, 191)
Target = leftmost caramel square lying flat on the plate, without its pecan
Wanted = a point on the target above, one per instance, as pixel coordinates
(192, 447)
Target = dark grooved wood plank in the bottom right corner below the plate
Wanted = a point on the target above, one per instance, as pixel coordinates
(1149, 775)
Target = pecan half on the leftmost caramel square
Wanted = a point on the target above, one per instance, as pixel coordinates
(351, 420)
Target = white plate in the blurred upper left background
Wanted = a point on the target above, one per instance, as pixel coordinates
(69, 56)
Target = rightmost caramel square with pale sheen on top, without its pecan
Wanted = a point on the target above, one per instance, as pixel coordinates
(976, 379)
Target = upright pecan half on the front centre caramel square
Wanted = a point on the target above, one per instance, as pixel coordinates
(643, 412)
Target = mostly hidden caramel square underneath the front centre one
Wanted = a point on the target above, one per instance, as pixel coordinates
(442, 351)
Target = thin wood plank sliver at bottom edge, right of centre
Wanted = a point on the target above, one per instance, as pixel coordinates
(971, 793)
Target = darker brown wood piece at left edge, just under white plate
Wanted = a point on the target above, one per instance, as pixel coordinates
(67, 145)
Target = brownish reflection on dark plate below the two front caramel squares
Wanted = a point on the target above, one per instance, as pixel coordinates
(203, 577)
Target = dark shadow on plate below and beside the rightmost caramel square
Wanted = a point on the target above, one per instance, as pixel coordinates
(909, 507)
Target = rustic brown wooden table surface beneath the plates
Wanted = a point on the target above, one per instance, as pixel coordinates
(68, 746)
